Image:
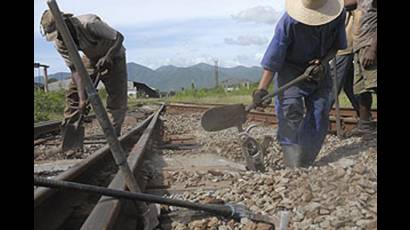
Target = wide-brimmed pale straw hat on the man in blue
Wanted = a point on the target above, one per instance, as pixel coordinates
(314, 12)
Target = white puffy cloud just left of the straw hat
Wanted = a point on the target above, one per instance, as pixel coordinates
(258, 14)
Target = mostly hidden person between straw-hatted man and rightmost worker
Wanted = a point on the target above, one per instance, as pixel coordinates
(344, 60)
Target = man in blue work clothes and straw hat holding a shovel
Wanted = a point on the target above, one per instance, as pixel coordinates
(309, 33)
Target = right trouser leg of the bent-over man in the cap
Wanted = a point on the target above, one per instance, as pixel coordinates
(116, 85)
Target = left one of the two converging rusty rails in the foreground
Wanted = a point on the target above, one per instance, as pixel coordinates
(53, 208)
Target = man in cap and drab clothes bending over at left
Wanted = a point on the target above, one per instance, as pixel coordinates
(103, 52)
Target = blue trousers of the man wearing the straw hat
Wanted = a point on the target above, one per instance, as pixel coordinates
(303, 111)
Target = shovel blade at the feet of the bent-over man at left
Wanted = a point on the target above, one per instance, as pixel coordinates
(73, 137)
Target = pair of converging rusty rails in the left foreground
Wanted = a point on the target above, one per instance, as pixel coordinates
(67, 209)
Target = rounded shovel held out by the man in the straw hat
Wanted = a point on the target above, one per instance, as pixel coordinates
(227, 116)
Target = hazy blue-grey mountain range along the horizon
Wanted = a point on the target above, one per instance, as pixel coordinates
(167, 78)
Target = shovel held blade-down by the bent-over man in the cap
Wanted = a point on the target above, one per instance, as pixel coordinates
(73, 133)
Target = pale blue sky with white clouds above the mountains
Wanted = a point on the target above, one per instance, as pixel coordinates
(178, 32)
